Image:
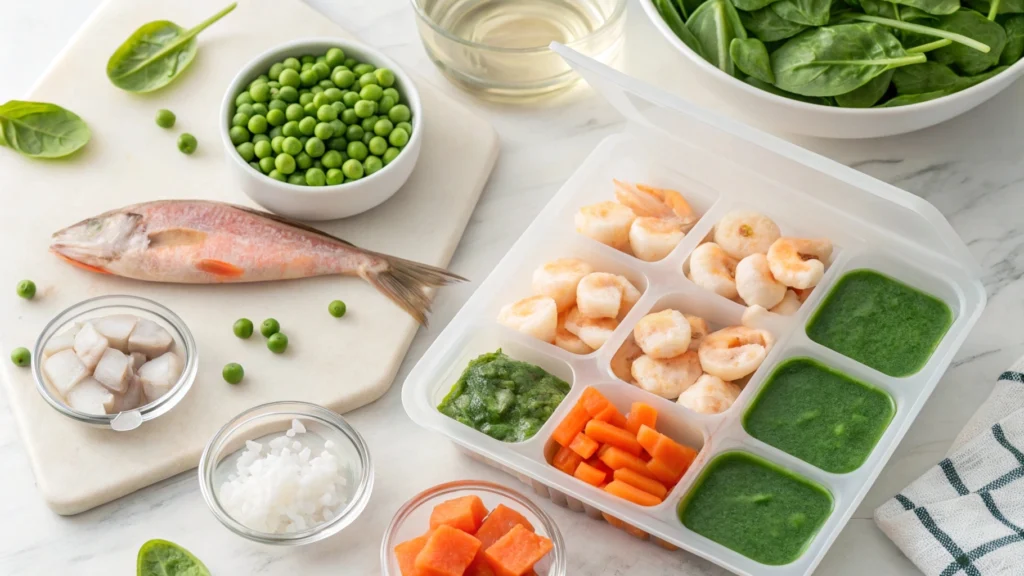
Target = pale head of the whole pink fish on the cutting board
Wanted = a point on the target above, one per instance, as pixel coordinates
(97, 242)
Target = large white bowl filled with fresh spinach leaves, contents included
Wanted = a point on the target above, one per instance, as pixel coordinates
(849, 69)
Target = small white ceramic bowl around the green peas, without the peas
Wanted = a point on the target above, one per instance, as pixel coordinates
(331, 202)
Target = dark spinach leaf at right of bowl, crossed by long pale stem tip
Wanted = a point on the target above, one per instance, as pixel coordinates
(966, 60)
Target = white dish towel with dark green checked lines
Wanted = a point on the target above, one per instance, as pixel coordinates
(966, 516)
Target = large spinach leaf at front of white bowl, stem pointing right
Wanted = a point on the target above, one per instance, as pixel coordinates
(837, 60)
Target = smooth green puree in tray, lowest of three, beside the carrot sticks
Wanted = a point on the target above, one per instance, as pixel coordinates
(756, 509)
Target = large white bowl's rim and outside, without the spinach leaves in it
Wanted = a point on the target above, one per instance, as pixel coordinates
(786, 115)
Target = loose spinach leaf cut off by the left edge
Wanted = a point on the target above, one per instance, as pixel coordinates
(41, 131)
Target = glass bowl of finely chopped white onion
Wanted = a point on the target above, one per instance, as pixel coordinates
(286, 474)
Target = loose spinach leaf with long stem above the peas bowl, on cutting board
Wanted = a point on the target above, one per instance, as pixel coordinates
(156, 54)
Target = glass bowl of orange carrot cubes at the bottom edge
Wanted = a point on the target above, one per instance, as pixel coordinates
(473, 528)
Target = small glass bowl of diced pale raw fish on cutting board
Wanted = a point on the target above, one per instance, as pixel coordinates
(115, 362)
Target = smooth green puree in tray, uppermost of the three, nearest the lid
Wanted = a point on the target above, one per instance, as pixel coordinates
(881, 322)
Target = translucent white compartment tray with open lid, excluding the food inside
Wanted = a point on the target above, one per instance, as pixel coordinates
(719, 166)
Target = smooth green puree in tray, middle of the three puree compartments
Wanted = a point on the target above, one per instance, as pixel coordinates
(820, 416)
